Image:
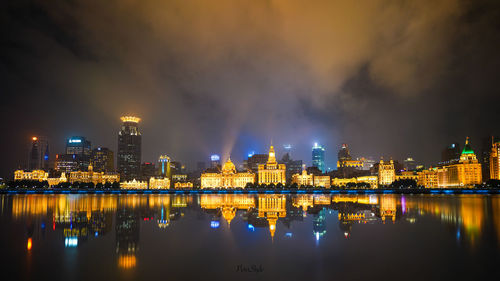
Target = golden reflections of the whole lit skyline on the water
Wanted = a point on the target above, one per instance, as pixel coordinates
(80, 218)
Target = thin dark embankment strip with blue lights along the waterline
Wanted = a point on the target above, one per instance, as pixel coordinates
(253, 191)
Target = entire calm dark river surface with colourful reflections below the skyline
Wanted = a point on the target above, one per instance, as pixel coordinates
(249, 237)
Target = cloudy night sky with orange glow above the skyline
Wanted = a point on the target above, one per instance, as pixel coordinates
(390, 78)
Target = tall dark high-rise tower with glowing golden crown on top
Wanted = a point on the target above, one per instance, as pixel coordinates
(129, 149)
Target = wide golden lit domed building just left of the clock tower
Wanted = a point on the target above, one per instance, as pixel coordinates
(228, 178)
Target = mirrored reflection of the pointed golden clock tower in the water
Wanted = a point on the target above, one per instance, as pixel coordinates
(272, 207)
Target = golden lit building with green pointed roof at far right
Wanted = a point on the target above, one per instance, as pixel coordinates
(465, 173)
